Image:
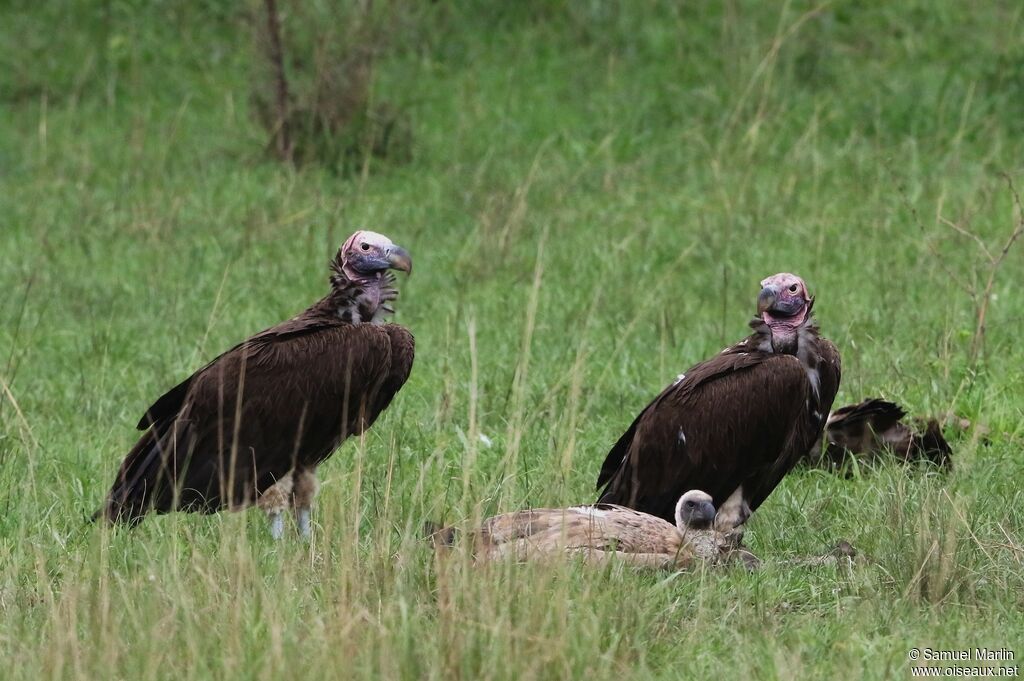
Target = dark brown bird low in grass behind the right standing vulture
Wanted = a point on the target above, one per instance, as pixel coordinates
(873, 429)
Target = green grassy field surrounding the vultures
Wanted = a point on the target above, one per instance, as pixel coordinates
(595, 191)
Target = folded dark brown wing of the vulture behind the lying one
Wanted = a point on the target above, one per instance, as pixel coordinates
(730, 420)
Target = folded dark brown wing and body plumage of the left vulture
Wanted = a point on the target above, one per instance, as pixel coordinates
(290, 395)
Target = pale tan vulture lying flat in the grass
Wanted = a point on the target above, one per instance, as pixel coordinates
(603, 533)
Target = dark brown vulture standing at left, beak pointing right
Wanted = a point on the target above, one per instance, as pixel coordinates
(253, 424)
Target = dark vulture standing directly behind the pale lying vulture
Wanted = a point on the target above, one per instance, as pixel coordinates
(736, 424)
